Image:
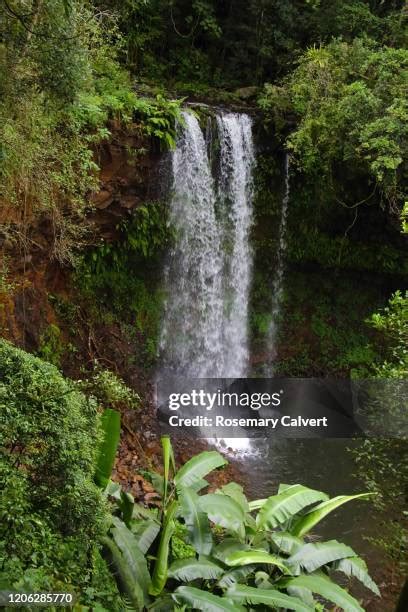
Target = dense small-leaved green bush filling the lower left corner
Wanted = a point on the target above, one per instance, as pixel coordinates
(52, 513)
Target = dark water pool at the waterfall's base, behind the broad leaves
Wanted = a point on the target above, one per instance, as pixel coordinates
(326, 465)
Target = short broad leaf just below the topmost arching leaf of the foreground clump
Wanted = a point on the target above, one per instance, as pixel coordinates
(223, 511)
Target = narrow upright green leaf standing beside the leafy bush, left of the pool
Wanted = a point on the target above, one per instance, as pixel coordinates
(110, 424)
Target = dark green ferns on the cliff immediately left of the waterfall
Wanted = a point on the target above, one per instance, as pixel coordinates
(121, 280)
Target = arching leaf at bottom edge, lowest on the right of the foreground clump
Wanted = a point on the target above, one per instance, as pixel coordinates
(323, 586)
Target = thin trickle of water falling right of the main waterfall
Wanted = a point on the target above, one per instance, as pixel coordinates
(277, 285)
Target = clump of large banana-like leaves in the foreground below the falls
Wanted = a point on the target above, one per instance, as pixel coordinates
(256, 553)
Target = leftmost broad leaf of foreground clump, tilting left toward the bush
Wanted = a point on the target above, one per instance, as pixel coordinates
(132, 555)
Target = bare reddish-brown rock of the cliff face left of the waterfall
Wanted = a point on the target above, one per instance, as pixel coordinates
(29, 272)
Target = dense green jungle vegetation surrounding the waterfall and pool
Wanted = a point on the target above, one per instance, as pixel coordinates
(326, 81)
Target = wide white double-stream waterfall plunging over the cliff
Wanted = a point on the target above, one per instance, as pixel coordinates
(207, 277)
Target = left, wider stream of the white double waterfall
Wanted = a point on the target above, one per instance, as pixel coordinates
(191, 338)
